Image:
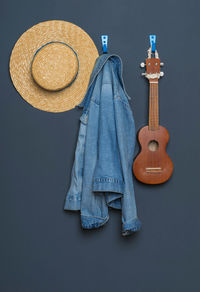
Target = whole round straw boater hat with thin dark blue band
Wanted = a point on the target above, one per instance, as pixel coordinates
(51, 63)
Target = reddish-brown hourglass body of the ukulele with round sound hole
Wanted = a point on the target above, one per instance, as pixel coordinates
(153, 165)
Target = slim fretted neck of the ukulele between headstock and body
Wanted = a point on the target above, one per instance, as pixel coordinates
(153, 105)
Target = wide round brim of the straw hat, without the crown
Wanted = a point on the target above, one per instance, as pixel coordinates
(23, 53)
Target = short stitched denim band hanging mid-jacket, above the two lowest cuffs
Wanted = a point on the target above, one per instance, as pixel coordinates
(107, 184)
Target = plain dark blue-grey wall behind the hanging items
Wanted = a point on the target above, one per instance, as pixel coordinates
(42, 247)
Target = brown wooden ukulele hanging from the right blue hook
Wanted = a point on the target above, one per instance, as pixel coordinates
(152, 165)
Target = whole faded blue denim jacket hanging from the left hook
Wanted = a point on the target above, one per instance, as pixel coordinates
(102, 170)
